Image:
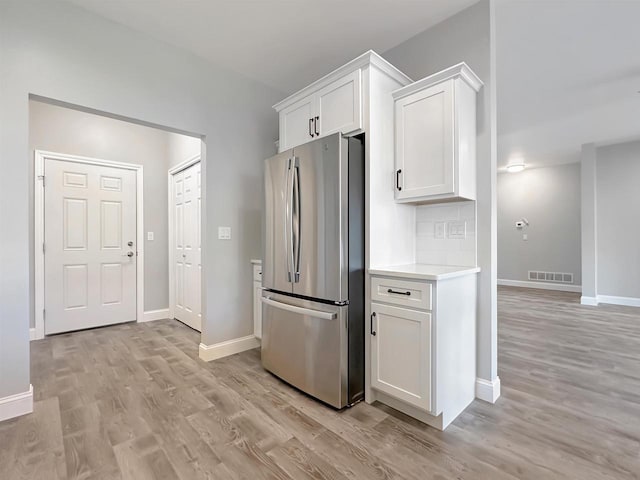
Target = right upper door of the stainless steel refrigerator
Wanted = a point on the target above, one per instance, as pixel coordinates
(319, 218)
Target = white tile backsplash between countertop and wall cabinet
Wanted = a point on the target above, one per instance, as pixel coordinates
(446, 234)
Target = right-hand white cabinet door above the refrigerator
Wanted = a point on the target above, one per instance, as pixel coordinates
(339, 106)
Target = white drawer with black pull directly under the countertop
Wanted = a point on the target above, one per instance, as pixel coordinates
(401, 292)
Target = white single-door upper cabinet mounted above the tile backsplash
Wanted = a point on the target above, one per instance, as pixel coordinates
(435, 137)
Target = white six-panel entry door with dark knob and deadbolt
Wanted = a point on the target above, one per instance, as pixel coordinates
(90, 252)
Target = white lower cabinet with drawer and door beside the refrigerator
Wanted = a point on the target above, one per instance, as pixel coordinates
(422, 346)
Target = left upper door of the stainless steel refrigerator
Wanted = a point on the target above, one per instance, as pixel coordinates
(277, 263)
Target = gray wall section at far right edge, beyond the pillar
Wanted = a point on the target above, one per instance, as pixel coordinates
(618, 215)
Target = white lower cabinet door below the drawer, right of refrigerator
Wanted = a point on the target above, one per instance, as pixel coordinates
(401, 354)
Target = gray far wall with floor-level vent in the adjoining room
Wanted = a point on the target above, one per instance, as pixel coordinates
(549, 198)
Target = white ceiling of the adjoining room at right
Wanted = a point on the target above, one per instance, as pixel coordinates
(568, 73)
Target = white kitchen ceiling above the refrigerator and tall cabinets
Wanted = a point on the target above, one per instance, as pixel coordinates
(283, 43)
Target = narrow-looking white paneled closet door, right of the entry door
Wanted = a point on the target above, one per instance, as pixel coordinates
(187, 266)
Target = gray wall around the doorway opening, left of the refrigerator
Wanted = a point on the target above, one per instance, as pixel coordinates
(59, 51)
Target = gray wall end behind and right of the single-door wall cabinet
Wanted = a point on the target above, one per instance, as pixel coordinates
(467, 37)
